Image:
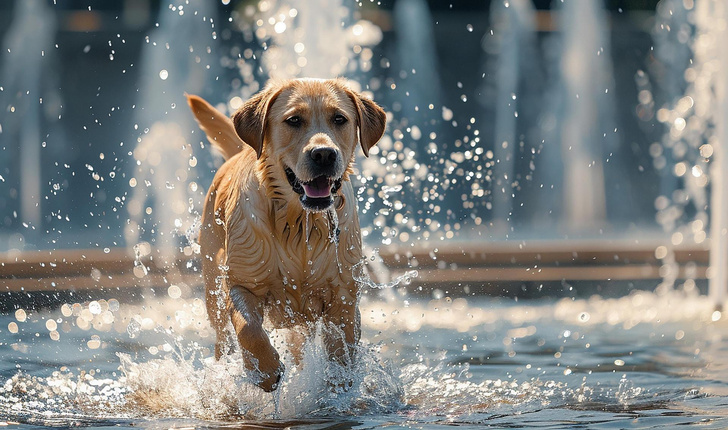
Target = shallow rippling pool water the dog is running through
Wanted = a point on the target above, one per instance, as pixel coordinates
(641, 361)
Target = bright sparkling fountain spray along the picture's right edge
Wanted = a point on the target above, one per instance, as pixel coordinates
(695, 140)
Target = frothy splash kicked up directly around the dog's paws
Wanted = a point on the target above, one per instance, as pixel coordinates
(188, 385)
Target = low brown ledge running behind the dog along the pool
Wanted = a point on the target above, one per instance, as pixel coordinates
(444, 263)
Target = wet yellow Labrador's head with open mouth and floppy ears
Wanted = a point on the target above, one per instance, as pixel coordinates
(308, 130)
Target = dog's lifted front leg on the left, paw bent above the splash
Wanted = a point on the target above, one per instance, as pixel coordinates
(246, 314)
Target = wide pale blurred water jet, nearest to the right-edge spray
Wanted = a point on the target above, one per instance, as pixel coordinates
(586, 78)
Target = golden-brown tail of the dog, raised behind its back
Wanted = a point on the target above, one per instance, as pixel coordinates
(217, 126)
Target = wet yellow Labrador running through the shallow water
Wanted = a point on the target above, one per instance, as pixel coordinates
(280, 235)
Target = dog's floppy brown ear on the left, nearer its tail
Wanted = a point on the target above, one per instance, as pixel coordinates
(250, 119)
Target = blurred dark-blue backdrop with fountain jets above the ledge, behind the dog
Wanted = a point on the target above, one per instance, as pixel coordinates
(508, 119)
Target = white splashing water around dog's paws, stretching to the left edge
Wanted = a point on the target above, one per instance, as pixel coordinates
(185, 384)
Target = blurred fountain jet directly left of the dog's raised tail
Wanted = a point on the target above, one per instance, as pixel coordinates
(179, 56)
